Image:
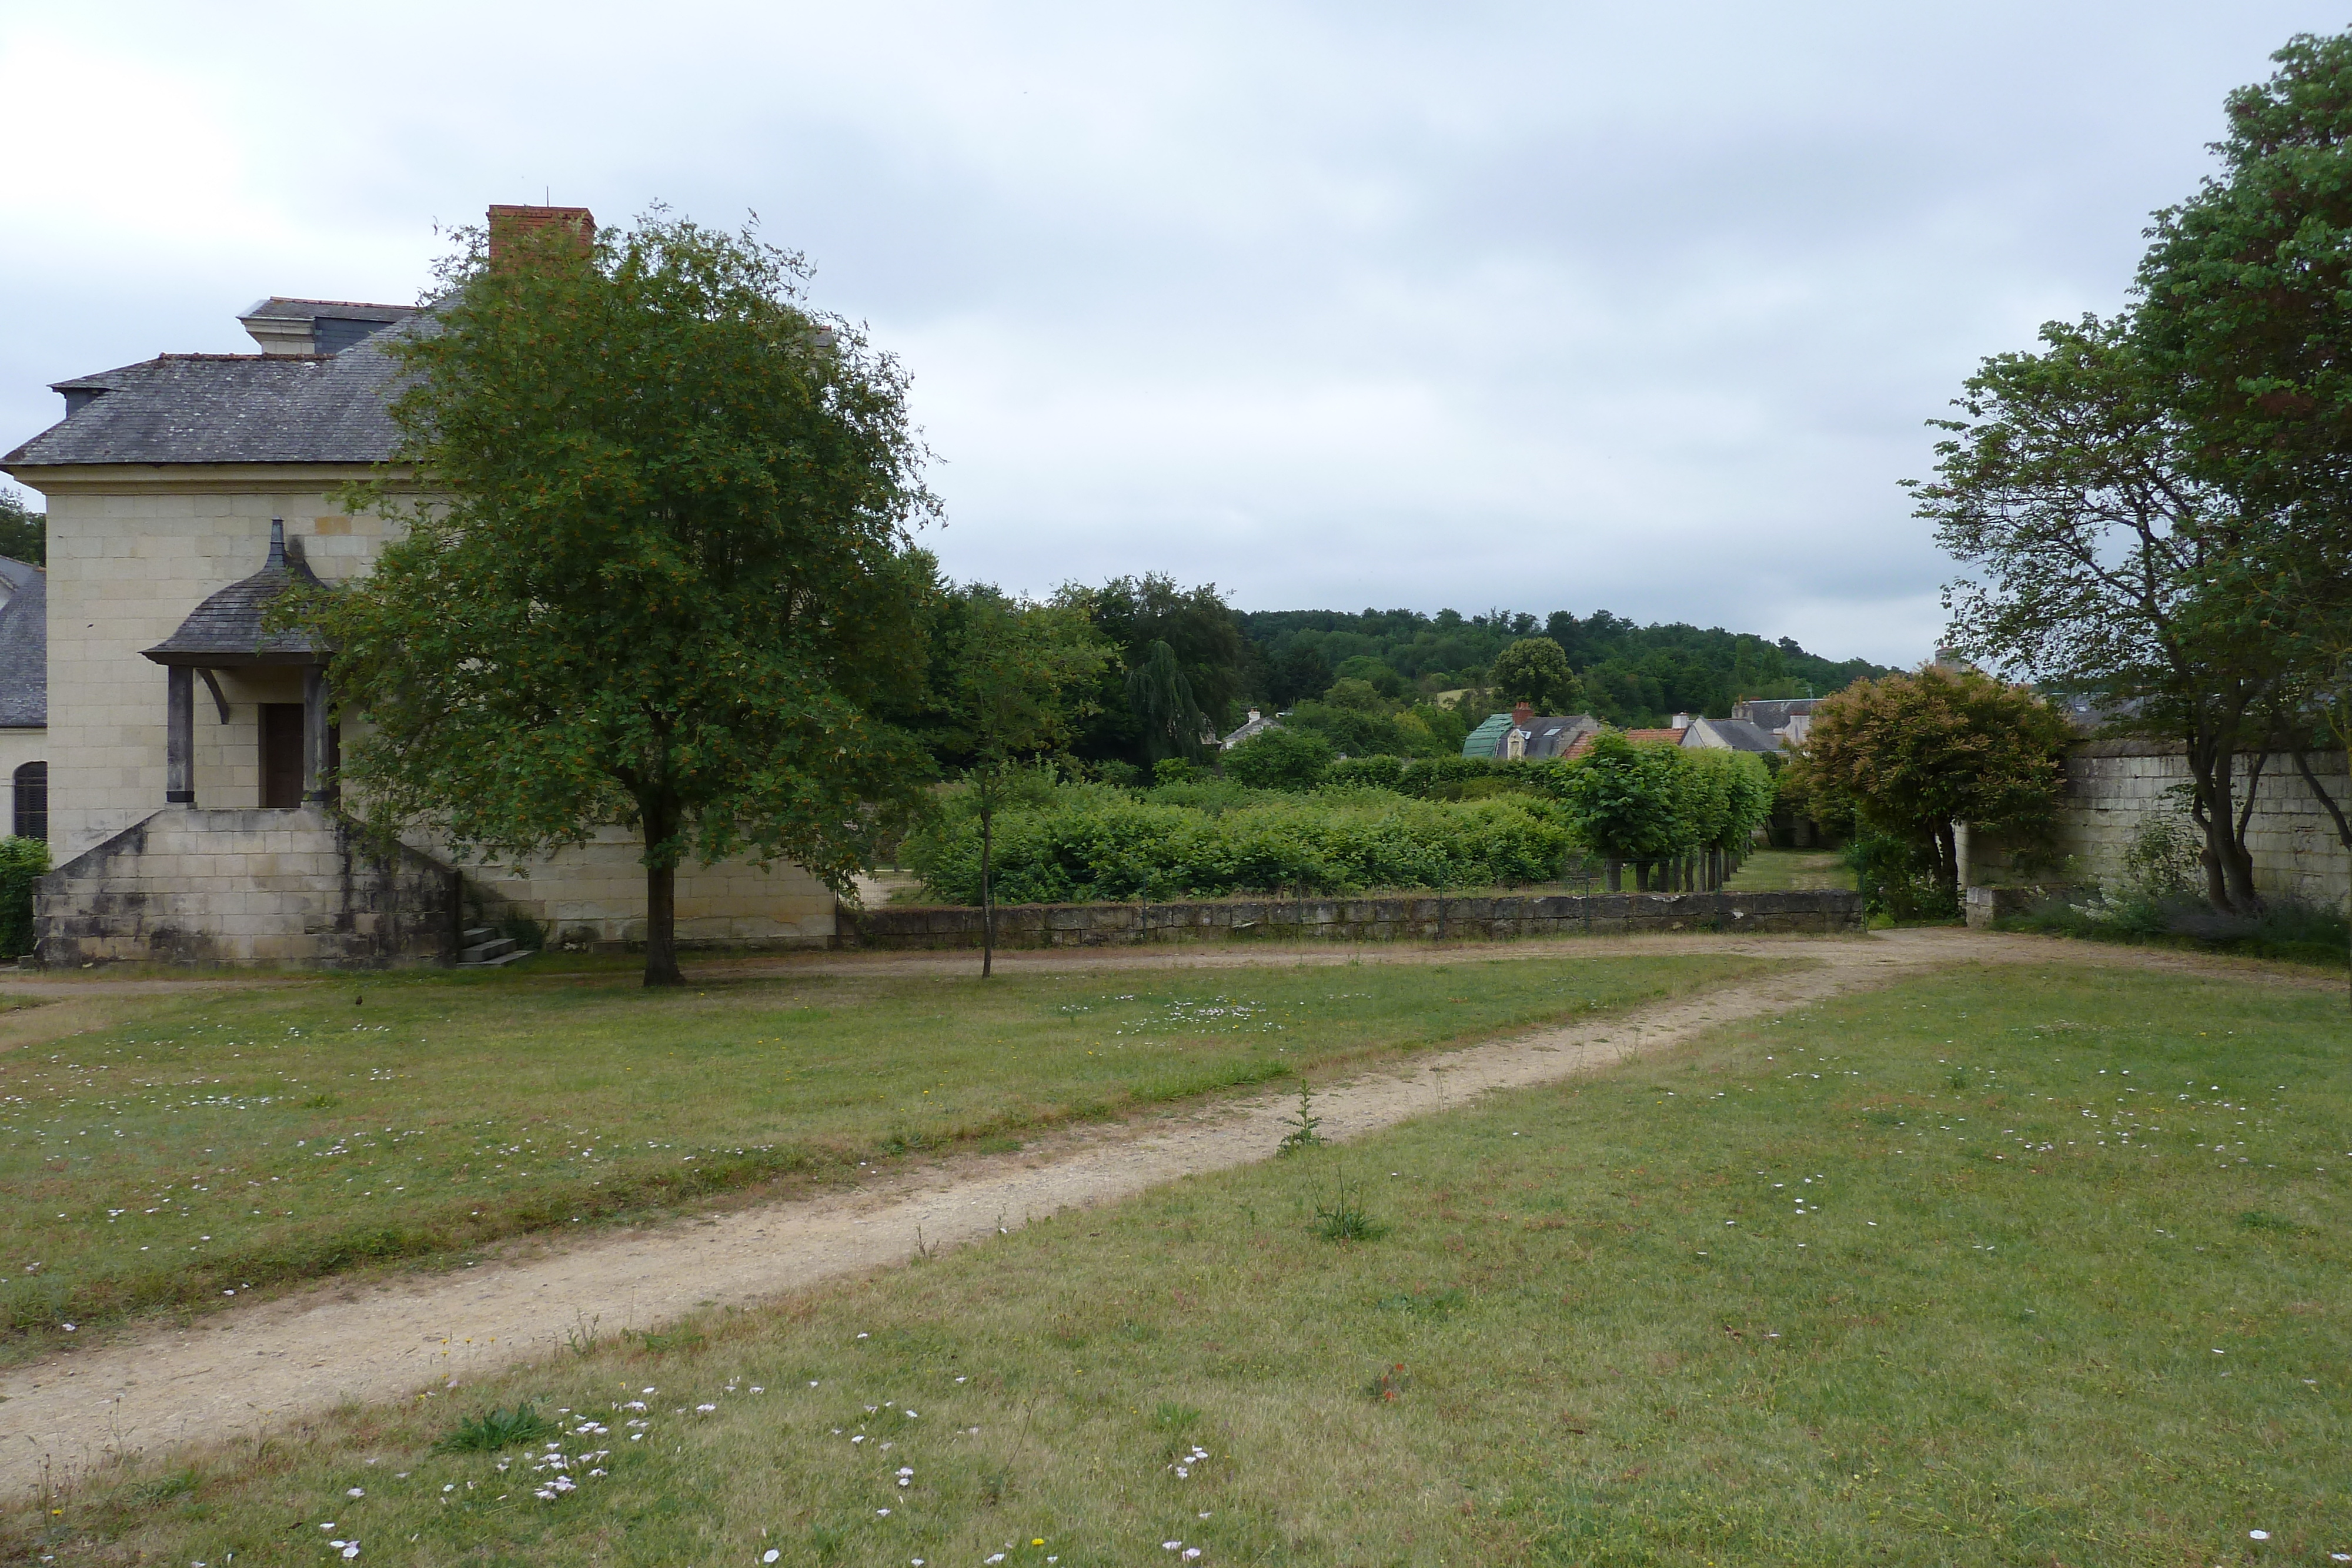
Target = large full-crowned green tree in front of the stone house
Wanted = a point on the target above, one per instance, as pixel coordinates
(662, 575)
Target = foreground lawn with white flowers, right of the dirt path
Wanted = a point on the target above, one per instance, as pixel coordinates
(1989, 1268)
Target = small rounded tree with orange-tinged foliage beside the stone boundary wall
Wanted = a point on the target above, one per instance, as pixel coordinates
(1918, 753)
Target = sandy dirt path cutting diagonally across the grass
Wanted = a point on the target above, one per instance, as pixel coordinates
(279, 1362)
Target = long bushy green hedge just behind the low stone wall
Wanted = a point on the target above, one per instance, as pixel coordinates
(1100, 845)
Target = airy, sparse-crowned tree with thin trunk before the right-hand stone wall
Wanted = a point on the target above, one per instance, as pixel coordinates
(2106, 563)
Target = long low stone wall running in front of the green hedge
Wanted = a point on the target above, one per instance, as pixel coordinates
(1351, 920)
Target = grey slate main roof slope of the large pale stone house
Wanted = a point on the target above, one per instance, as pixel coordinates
(227, 410)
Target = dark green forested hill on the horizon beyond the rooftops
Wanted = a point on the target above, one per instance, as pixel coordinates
(1631, 674)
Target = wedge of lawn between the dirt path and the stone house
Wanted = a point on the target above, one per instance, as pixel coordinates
(182, 1151)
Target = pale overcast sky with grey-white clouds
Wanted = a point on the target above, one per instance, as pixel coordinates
(1563, 307)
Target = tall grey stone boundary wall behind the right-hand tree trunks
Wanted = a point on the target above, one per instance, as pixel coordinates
(2113, 786)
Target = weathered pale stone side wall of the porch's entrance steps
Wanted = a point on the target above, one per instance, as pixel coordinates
(246, 887)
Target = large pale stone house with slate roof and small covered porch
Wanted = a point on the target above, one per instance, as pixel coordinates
(192, 798)
